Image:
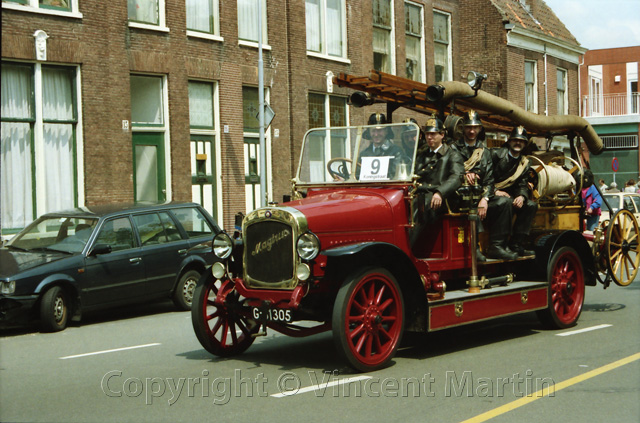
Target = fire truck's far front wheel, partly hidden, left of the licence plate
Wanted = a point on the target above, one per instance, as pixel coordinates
(220, 329)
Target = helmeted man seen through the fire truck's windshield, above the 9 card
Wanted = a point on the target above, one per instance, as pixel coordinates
(382, 144)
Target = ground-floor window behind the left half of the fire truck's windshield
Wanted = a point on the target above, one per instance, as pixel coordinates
(326, 111)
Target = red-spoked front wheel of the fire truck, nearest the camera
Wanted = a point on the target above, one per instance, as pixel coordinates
(368, 319)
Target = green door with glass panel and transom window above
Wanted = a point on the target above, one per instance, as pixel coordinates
(148, 137)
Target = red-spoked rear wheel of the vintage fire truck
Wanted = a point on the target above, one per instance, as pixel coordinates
(566, 290)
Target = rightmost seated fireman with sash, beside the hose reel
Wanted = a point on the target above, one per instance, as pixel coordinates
(510, 169)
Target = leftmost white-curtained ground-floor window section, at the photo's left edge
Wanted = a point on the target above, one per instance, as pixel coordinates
(16, 185)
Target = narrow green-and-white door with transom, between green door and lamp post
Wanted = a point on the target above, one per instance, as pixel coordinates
(203, 144)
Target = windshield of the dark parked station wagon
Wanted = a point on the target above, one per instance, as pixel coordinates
(59, 234)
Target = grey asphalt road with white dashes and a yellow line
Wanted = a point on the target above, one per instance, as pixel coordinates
(145, 364)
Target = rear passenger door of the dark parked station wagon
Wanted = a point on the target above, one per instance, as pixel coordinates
(163, 250)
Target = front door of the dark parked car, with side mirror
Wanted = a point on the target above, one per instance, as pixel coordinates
(117, 276)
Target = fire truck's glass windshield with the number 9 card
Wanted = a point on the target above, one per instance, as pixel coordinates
(381, 153)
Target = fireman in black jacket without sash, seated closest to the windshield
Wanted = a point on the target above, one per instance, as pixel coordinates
(440, 169)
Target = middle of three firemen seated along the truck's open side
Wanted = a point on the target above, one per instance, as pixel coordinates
(494, 211)
